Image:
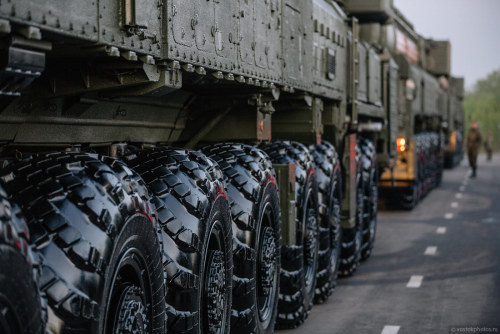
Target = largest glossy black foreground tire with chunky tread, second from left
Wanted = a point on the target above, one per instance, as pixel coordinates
(90, 223)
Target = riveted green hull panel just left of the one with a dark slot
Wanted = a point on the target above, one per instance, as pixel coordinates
(297, 44)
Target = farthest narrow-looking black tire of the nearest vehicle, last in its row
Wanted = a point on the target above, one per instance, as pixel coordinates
(370, 199)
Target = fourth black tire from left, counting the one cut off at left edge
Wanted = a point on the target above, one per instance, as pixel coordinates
(254, 200)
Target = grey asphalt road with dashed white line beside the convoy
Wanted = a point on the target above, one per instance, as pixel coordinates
(447, 248)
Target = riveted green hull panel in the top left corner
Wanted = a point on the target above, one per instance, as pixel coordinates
(73, 18)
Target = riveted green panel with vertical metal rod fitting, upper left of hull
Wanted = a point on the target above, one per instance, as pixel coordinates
(133, 25)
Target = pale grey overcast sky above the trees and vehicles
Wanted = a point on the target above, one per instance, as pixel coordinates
(472, 26)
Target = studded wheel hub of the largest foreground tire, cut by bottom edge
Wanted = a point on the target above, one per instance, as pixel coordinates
(132, 317)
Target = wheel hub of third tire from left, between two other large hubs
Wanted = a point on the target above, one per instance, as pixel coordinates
(216, 292)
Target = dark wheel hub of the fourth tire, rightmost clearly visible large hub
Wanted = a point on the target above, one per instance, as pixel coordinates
(267, 260)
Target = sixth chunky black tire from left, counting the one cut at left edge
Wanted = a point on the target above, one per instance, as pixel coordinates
(329, 176)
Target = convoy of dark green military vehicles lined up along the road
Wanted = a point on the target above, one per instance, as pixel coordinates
(301, 112)
